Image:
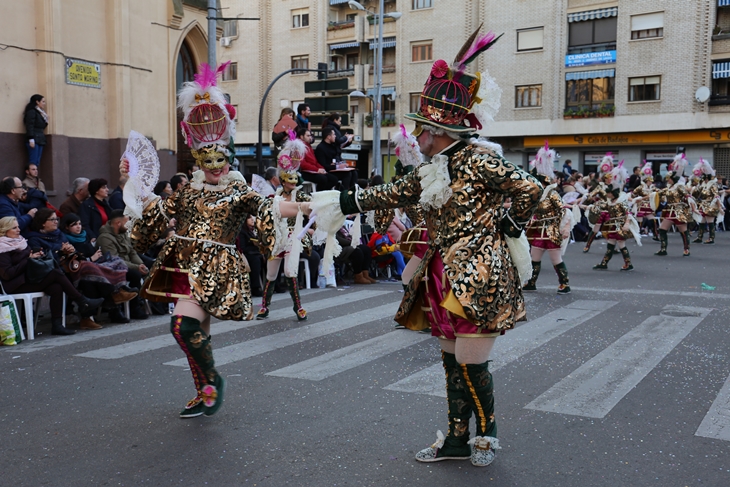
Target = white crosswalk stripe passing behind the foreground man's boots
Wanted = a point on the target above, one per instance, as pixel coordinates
(513, 345)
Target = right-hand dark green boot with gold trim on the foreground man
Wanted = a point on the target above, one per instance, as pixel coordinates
(480, 391)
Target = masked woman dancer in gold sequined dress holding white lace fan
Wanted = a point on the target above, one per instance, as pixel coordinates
(199, 267)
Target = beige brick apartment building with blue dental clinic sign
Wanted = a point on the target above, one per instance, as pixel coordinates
(643, 79)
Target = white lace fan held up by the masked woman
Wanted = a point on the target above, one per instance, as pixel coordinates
(144, 172)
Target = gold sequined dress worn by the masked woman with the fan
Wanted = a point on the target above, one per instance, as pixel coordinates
(208, 220)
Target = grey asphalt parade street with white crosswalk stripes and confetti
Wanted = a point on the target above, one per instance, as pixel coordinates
(626, 381)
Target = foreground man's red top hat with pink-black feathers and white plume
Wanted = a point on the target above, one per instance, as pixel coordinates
(456, 101)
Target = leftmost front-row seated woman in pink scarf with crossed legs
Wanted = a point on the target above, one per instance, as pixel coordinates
(14, 255)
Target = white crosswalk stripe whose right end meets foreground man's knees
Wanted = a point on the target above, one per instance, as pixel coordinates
(347, 358)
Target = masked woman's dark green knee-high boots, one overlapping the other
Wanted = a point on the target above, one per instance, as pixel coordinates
(195, 343)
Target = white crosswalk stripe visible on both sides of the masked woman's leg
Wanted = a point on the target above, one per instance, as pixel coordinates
(155, 343)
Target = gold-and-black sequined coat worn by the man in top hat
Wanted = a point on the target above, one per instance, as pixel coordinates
(465, 232)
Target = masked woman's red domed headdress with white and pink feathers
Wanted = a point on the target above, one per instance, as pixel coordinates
(207, 117)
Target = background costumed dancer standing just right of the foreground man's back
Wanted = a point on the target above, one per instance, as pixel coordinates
(549, 229)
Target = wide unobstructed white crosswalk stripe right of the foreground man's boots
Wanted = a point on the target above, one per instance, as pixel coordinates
(597, 386)
